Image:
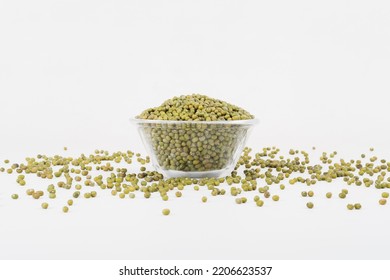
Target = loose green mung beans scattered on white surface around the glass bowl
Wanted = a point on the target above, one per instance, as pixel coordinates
(261, 172)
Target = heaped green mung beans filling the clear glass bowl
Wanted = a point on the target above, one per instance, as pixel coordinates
(194, 133)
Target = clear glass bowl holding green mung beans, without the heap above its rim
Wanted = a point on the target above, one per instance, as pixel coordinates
(194, 148)
